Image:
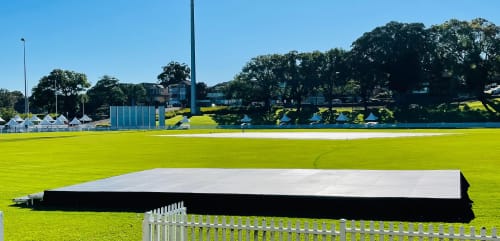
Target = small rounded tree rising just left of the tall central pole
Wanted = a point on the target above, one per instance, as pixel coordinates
(174, 73)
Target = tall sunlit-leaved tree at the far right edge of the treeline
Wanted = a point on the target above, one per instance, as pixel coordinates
(468, 52)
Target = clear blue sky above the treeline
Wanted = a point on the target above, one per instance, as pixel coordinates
(132, 39)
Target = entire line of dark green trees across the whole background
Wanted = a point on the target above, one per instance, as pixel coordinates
(448, 61)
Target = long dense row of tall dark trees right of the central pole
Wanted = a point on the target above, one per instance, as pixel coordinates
(451, 60)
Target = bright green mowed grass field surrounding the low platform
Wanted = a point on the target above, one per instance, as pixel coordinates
(34, 162)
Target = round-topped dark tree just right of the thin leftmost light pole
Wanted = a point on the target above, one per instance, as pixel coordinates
(66, 84)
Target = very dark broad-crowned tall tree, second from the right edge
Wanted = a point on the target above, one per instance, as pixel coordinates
(391, 57)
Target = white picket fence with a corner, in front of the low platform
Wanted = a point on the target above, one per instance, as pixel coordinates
(172, 223)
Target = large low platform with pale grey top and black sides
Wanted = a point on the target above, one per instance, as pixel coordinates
(435, 195)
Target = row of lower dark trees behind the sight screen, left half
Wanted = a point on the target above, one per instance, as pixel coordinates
(74, 97)
